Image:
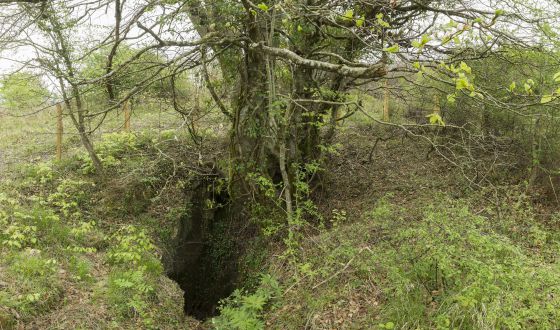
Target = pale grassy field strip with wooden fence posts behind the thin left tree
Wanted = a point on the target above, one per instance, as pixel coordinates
(50, 134)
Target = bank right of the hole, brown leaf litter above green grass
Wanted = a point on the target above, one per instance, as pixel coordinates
(411, 249)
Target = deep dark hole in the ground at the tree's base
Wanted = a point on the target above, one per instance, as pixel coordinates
(204, 261)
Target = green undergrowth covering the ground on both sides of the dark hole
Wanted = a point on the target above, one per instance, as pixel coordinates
(68, 238)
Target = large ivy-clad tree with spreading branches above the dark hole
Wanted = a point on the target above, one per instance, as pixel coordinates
(294, 62)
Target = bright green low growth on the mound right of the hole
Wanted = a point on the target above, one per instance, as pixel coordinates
(444, 267)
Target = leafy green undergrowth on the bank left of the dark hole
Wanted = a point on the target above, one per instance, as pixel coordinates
(63, 245)
